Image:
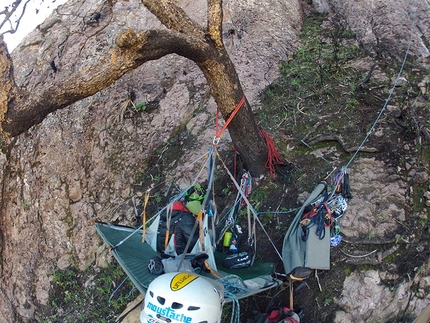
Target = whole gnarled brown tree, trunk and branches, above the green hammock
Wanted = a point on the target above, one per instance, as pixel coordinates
(23, 107)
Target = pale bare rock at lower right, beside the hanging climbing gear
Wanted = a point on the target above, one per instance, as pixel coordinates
(376, 210)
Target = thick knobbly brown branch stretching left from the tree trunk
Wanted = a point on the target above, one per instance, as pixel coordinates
(132, 50)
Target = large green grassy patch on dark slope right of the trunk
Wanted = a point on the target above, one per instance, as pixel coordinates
(315, 75)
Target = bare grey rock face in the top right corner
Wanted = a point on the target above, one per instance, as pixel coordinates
(385, 27)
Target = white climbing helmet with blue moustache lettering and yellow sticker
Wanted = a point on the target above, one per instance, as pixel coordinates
(183, 297)
